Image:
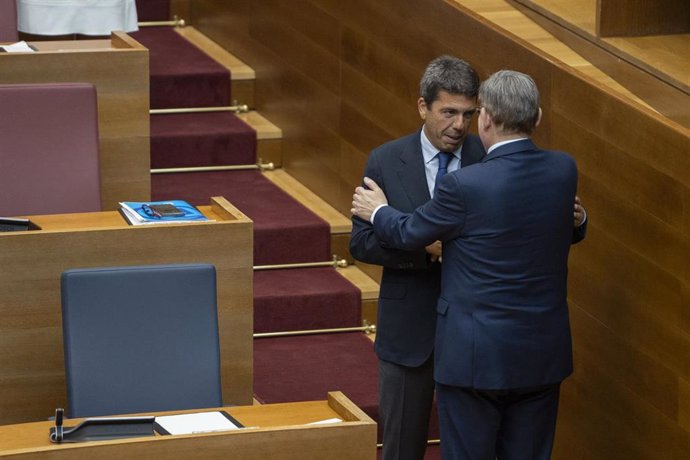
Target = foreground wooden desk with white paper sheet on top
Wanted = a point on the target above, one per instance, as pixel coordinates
(280, 433)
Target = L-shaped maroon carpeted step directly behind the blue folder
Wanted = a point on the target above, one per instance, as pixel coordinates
(284, 230)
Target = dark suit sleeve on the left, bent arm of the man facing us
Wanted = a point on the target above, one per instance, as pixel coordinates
(366, 247)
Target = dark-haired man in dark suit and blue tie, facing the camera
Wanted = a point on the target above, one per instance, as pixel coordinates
(410, 285)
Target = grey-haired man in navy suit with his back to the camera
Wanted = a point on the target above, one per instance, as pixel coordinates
(503, 336)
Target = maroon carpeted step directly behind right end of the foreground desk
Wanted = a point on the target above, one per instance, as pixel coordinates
(305, 368)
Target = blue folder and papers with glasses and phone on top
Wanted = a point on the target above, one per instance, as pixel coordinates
(161, 212)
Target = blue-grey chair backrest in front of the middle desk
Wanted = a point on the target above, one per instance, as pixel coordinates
(140, 339)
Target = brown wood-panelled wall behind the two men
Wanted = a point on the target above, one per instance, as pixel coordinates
(343, 78)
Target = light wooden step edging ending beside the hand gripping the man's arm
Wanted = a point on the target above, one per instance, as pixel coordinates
(338, 222)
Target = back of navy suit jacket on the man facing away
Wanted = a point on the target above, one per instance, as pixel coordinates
(503, 315)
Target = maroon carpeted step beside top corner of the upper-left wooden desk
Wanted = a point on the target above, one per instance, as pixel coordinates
(181, 74)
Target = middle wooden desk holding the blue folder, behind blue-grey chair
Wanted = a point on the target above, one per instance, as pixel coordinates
(32, 382)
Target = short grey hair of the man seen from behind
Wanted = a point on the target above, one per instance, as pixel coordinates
(512, 100)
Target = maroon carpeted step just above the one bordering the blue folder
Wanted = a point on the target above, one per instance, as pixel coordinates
(201, 139)
